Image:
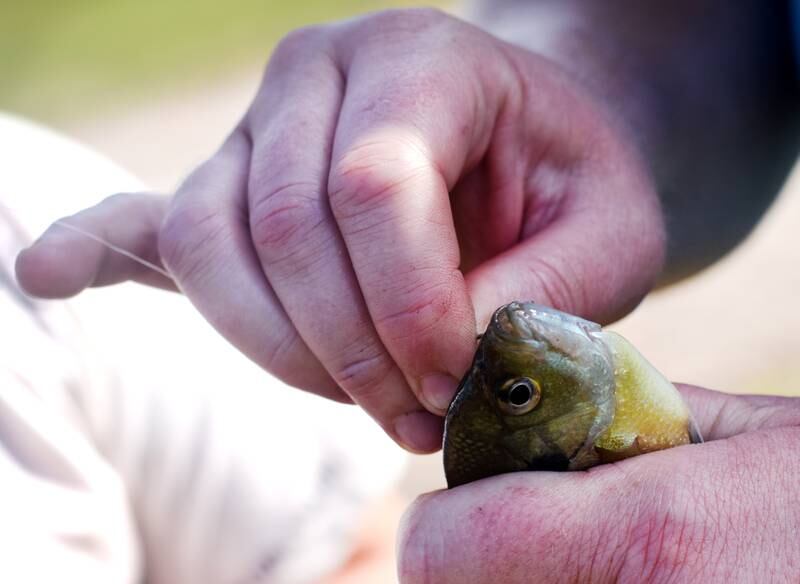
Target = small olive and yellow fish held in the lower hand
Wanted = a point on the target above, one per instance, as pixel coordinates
(554, 392)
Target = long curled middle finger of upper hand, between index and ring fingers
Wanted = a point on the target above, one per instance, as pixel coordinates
(298, 244)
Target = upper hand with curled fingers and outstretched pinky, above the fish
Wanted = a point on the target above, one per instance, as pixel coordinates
(396, 177)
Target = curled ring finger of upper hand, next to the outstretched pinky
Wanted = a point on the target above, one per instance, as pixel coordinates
(205, 243)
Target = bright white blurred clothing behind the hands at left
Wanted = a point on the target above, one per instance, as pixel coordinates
(135, 444)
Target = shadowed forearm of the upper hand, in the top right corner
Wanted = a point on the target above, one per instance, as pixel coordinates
(706, 89)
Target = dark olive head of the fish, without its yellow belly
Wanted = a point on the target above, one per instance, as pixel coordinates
(539, 390)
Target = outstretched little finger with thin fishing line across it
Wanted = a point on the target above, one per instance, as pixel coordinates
(81, 251)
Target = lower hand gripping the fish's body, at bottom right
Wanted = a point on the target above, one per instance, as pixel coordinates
(726, 510)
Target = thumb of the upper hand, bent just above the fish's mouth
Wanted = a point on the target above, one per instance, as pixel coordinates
(594, 250)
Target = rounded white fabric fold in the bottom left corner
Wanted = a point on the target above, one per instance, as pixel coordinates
(65, 514)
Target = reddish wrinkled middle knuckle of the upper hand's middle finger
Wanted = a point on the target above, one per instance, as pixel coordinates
(284, 219)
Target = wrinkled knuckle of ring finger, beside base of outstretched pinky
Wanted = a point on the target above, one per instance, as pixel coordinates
(188, 238)
